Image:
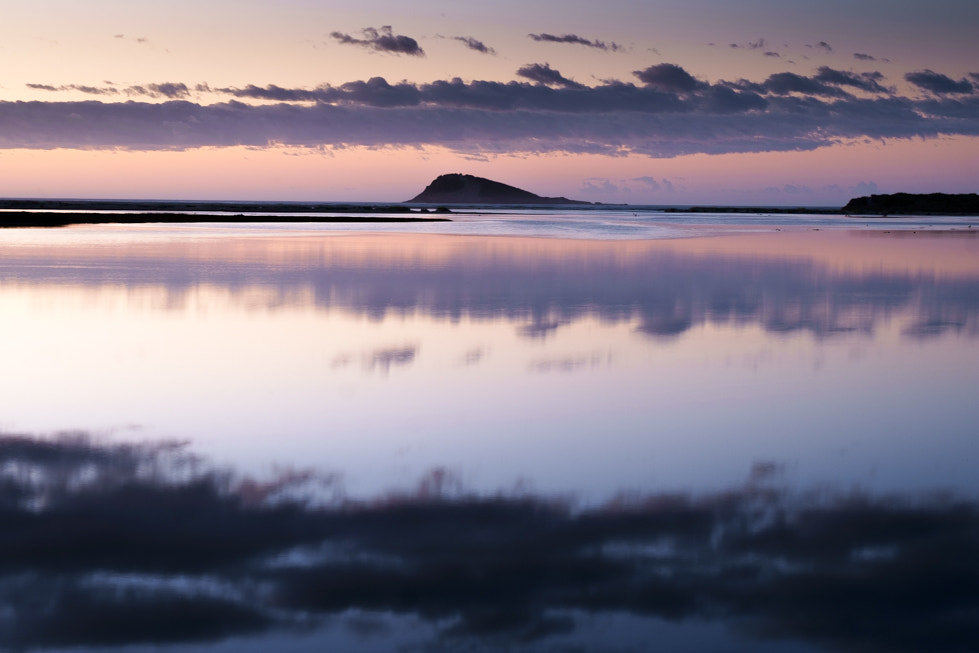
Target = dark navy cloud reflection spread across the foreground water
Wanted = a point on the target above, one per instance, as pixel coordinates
(107, 544)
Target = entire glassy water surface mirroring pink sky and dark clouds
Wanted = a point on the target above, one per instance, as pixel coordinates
(709, 406)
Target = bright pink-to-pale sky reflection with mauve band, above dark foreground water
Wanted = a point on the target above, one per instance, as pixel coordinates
(647, 364)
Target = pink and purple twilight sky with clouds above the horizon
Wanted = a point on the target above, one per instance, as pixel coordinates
(759, 102)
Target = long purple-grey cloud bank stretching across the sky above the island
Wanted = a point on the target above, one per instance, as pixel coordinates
(671, 113)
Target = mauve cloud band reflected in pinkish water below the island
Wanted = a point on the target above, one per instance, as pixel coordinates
(668, 289)
